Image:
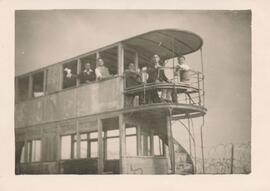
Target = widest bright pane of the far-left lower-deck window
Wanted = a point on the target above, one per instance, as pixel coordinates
(33, 151)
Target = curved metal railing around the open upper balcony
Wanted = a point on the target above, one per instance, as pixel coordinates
(188, 90)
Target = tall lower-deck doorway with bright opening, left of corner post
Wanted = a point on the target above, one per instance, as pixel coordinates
(111, 145)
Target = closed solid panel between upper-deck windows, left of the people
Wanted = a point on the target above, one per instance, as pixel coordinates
(54, 78)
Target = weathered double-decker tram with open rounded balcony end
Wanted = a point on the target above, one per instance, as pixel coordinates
(64, 126)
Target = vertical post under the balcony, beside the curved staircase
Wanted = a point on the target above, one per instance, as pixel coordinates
(170, 141)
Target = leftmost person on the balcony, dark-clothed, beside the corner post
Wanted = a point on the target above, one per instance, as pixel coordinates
(132, 79)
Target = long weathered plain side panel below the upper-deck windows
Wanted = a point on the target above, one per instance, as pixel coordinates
(76, 102)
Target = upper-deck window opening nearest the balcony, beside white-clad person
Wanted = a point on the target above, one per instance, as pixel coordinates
(110, 59)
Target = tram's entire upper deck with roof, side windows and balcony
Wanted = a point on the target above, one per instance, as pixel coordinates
(47, 95)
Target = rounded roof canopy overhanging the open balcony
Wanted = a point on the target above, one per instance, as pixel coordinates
(167, 43)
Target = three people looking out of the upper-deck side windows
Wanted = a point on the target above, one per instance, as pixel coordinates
(88, 74)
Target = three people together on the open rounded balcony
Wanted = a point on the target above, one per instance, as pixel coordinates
(152, 73)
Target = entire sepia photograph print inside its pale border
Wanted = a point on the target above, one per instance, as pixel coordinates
(107, 92)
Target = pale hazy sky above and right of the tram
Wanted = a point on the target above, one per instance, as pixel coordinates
(43, 38)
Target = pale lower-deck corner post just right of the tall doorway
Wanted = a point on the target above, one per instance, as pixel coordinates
(122, 144)
